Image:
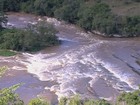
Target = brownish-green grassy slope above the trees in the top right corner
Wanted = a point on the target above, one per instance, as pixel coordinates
(124, 7)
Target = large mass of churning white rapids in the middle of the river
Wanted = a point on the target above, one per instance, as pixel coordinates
(82, 63)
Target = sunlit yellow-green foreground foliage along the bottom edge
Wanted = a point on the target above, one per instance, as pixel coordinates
(9, 97)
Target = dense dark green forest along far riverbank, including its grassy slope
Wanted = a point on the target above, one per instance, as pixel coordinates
(110, 17)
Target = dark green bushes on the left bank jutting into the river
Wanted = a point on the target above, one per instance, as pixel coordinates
(32, 38)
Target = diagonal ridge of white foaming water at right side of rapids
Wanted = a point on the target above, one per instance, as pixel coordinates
(121, 71)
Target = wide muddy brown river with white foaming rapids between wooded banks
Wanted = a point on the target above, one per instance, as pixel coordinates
(84, 64)
